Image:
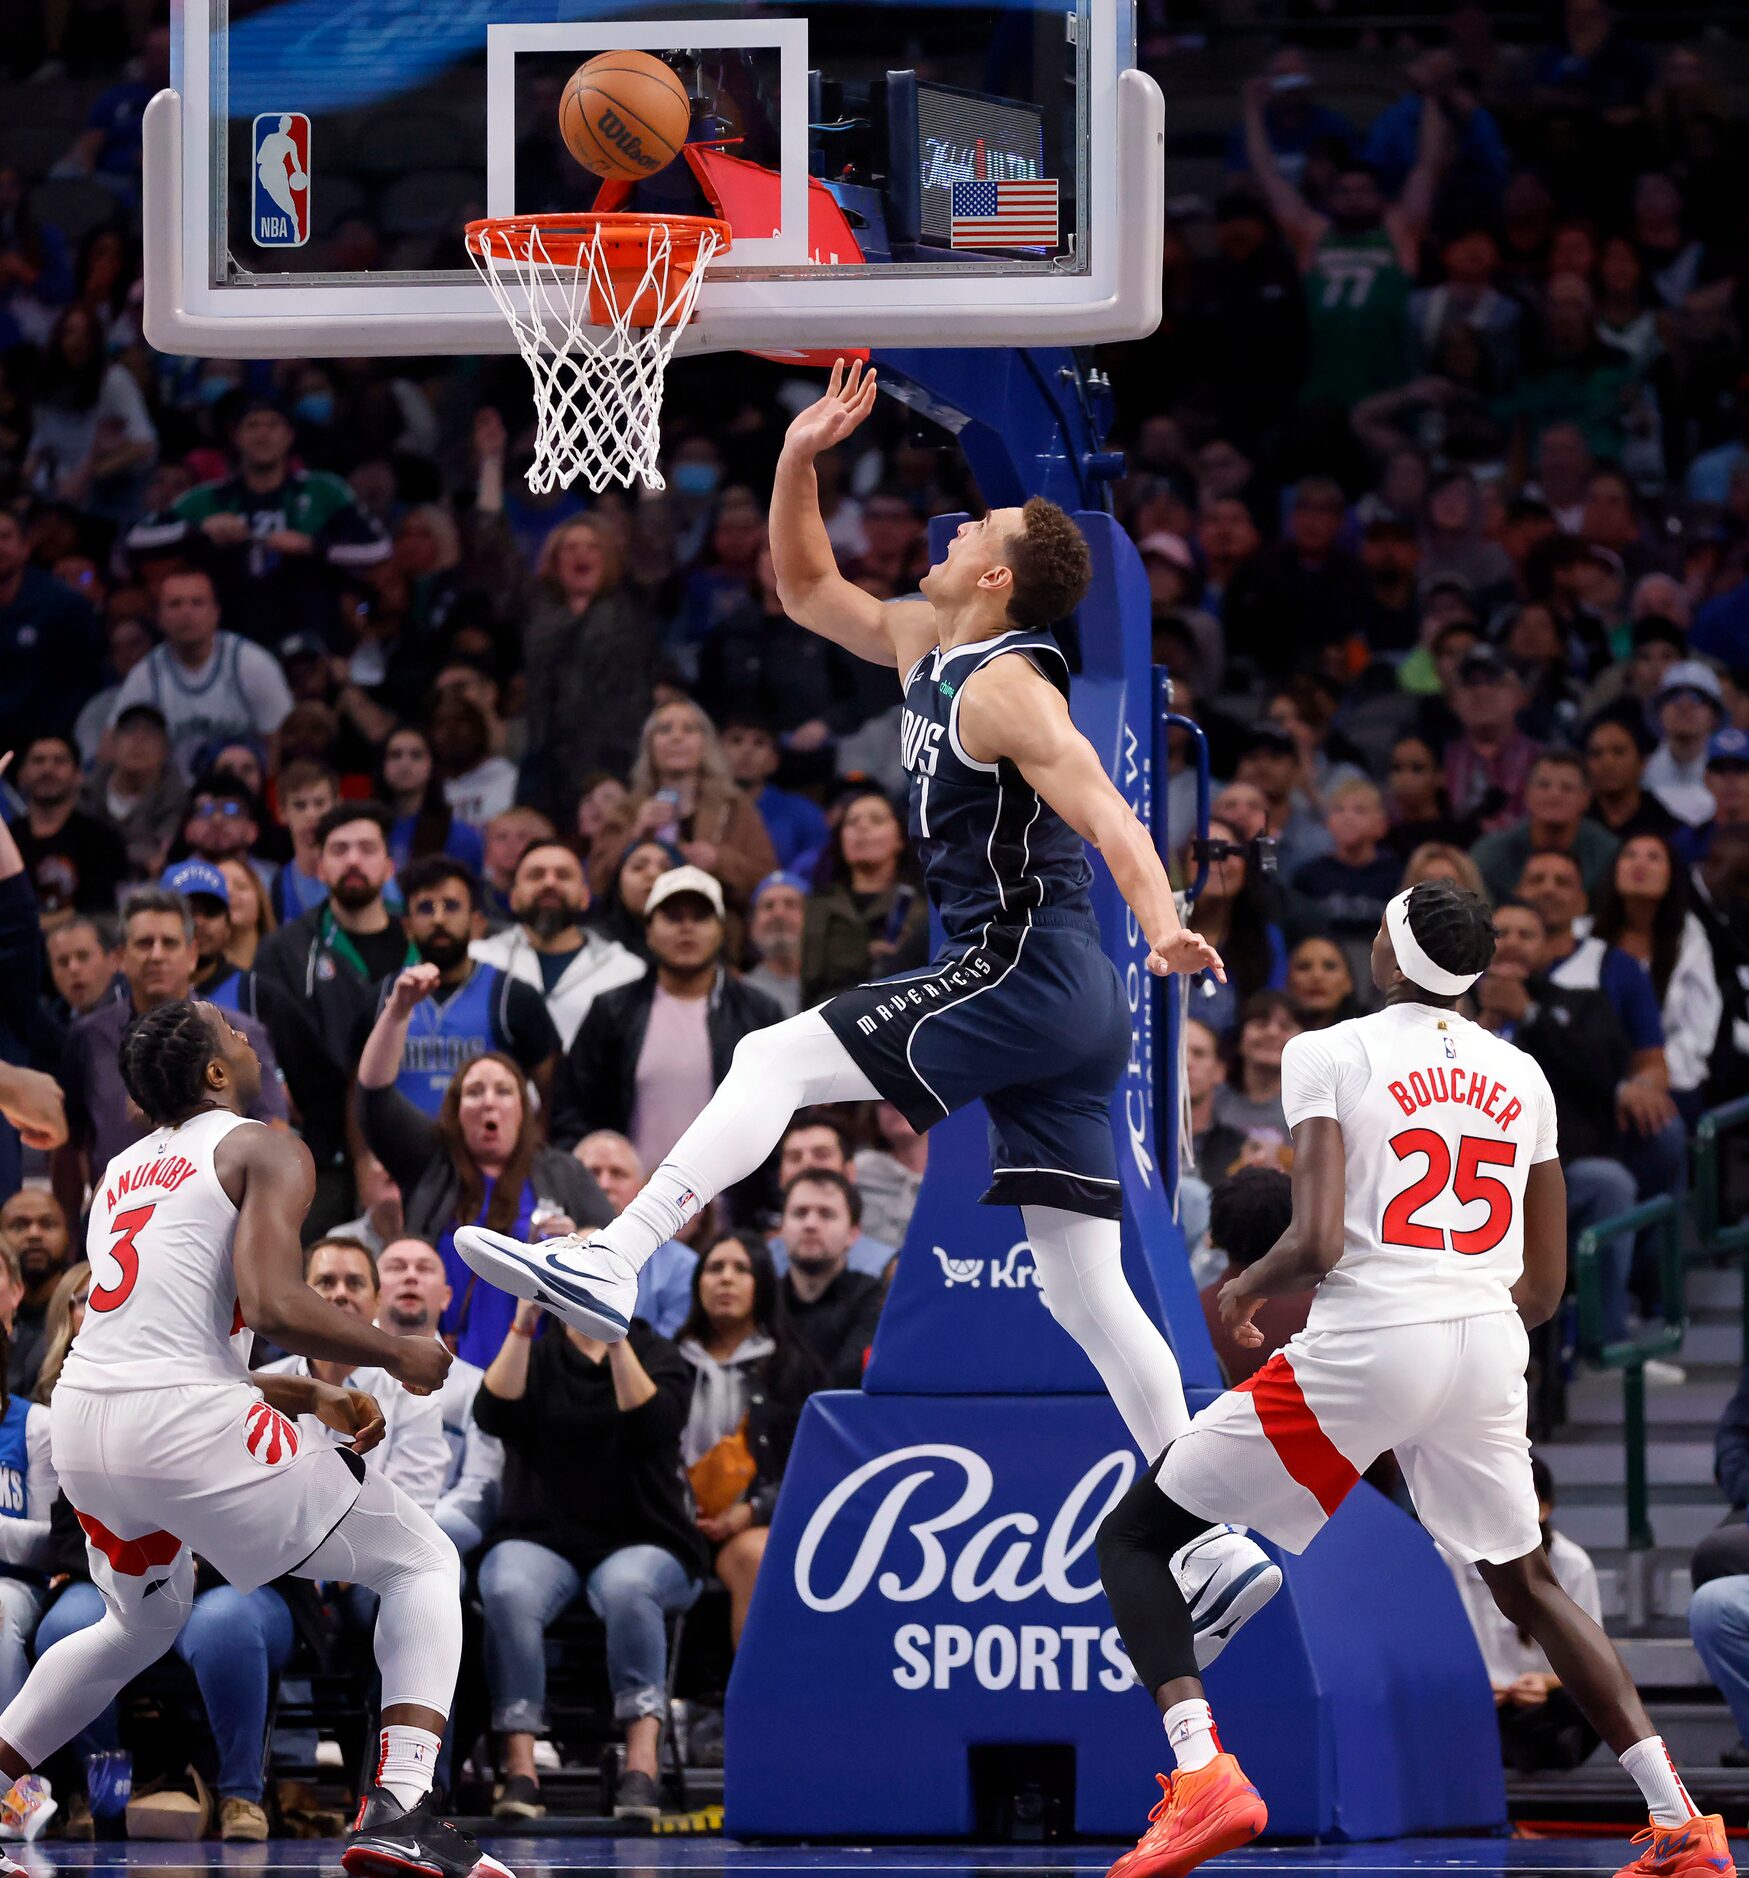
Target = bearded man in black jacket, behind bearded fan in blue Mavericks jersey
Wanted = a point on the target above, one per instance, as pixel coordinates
(318, 979)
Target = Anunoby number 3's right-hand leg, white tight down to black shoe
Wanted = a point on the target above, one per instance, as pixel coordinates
(395, 1548)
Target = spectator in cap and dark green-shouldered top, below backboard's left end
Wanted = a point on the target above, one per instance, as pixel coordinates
(279, 540)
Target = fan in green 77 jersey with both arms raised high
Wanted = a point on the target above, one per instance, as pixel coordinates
(1359, 260)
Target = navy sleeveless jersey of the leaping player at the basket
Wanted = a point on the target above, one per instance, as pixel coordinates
(993, 850)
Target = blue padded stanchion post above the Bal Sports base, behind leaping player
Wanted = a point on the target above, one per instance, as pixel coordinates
(965, 1314)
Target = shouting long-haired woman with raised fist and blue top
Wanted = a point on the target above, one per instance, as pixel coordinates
(482, 1160)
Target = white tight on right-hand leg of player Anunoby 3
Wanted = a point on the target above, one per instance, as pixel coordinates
(394, 1547)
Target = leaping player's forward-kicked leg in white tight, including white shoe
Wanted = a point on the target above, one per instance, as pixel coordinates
(593, 1285)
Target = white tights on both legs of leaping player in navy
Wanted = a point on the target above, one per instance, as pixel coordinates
(1081, 1259)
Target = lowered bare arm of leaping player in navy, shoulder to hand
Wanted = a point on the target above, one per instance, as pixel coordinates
(1010, 711)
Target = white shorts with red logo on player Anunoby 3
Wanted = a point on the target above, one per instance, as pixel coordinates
(209, 1466)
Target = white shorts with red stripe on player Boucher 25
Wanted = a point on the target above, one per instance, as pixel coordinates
(1449, 1400)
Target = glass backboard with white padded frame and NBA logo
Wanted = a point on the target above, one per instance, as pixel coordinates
(923, 172)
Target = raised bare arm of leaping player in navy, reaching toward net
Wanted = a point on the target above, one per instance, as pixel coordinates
(811, 587)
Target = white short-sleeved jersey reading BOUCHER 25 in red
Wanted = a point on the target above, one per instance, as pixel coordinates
(1442, 1124)
